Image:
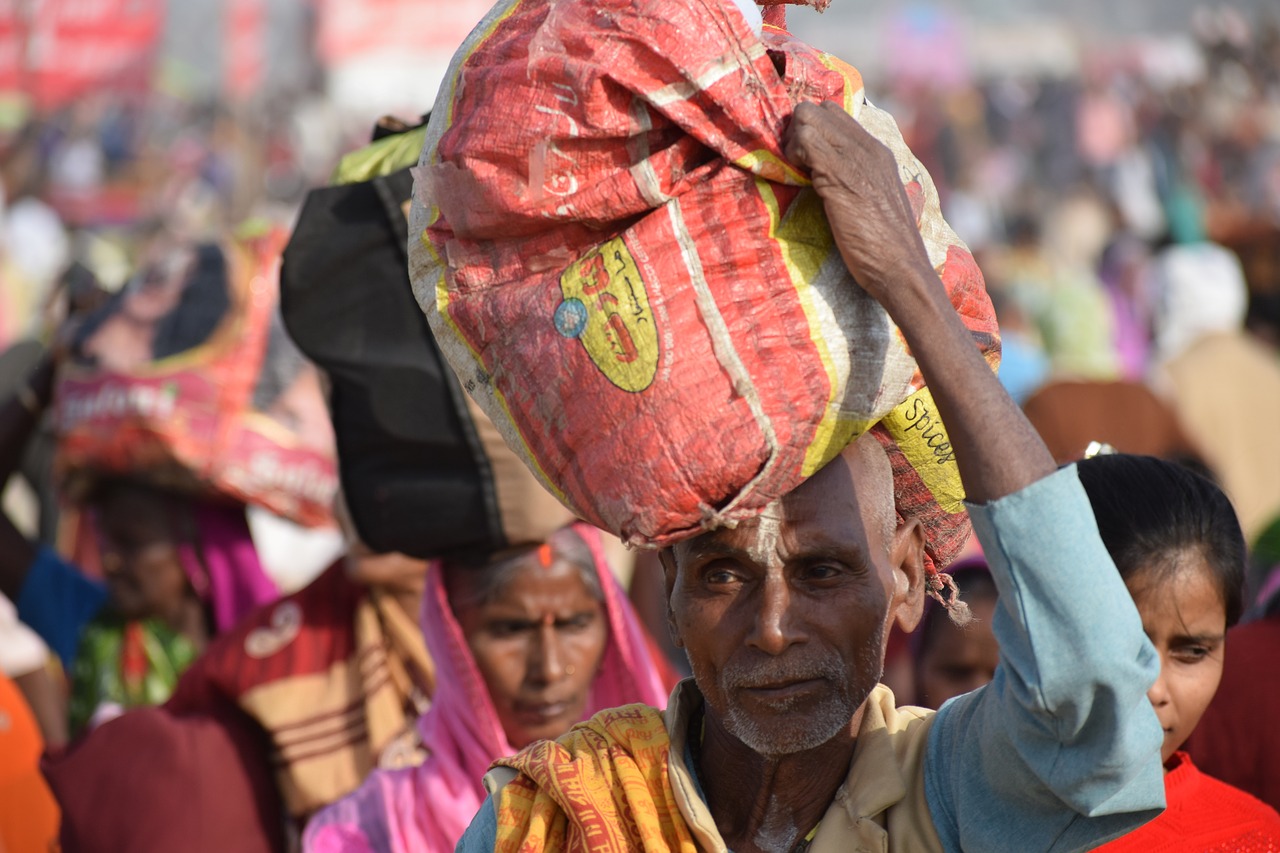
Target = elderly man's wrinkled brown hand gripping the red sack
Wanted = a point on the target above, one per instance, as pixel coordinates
(858, 180)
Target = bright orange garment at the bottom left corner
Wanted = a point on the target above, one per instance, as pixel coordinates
(29, 814)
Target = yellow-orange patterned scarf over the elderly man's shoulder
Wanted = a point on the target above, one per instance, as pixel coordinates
(602, 788)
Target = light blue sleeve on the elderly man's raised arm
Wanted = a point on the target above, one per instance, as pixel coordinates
(1062, 751)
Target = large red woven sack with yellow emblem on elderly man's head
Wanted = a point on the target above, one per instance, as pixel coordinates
(638, 288)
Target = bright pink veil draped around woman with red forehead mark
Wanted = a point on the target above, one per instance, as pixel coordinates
(427, 809)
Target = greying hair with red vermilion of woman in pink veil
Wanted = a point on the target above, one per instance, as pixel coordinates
(479, 580)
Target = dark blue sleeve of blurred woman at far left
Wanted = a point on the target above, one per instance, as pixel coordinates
(58, 601)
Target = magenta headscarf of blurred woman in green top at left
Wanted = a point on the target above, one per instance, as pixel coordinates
(226, 573)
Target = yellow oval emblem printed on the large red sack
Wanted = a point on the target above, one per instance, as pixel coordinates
(607, 309)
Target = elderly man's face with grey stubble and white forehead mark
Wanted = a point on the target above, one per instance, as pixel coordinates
(785, 617)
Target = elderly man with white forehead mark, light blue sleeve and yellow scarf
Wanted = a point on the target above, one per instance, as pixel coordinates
(784, 741)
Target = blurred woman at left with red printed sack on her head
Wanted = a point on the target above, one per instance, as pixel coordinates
(177, 403)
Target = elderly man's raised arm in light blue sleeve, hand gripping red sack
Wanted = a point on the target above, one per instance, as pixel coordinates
(1062, 751)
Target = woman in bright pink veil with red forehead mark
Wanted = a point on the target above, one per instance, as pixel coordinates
(528, 644)
